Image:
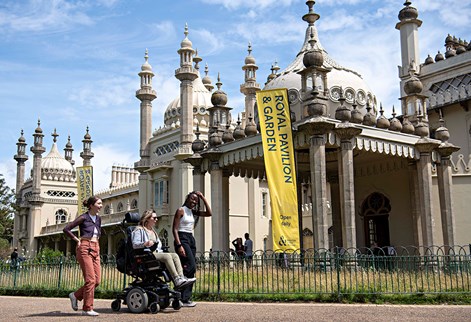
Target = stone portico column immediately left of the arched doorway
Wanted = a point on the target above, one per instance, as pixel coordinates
(346, 133)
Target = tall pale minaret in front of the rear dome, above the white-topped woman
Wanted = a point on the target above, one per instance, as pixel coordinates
(186, 74)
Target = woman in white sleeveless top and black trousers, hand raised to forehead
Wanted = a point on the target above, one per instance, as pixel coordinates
(186, 217)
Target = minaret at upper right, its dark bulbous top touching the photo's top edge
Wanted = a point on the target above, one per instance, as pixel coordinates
(408, 27)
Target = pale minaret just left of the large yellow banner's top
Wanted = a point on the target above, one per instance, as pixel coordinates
(250, 87)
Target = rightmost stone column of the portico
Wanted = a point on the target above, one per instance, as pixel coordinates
(444, 175)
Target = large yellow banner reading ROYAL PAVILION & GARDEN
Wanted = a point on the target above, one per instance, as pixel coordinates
(278, 152)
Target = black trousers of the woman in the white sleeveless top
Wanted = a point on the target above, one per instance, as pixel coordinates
(189, 262)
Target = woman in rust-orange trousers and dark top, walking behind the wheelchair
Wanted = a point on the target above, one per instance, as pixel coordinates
(87, 253)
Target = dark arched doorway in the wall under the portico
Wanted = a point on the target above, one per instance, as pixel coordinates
(375, 211)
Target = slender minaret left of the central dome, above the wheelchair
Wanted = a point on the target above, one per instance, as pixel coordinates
(146, 95)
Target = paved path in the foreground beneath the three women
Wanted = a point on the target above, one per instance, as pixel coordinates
(15, 308)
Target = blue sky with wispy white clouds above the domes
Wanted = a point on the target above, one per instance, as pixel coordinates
(74, 64)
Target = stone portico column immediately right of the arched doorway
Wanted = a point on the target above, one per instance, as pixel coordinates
(424, 171)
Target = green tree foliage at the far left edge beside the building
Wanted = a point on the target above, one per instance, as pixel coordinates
(7, 212)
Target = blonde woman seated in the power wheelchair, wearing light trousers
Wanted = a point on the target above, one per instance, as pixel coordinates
(144, 236)
